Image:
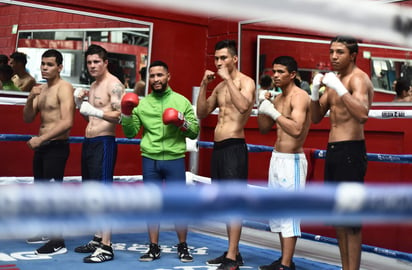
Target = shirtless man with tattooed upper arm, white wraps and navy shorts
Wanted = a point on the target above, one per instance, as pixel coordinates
(102, 111)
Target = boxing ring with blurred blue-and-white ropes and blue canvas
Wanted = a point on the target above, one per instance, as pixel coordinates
(78, 210)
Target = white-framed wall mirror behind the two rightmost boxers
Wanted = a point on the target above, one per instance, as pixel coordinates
(382, 62)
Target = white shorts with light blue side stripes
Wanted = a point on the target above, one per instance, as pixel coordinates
(287, 171)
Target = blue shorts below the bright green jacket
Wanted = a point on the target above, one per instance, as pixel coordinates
(159, 171)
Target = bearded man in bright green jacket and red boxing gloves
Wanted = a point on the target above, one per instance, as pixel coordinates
(167, 118)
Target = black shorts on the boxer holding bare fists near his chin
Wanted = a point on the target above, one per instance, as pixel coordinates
(230, 160)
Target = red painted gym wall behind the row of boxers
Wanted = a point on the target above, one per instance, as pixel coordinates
(186, 43)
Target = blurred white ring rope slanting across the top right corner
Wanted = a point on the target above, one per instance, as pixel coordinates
(370, 19)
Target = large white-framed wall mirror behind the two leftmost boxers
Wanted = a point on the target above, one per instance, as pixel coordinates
(127, 41)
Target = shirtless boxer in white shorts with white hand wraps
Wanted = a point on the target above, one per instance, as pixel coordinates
(288, 164)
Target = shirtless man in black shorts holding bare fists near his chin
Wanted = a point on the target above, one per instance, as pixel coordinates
(234, 97)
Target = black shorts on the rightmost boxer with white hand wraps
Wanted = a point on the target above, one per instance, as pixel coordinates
(346, 161)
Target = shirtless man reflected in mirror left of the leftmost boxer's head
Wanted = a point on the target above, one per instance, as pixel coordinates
(21, 78)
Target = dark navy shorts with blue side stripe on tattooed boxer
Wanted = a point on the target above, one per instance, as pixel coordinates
(98, 158)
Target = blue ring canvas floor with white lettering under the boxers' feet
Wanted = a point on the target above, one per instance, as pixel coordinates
(206, 241)
